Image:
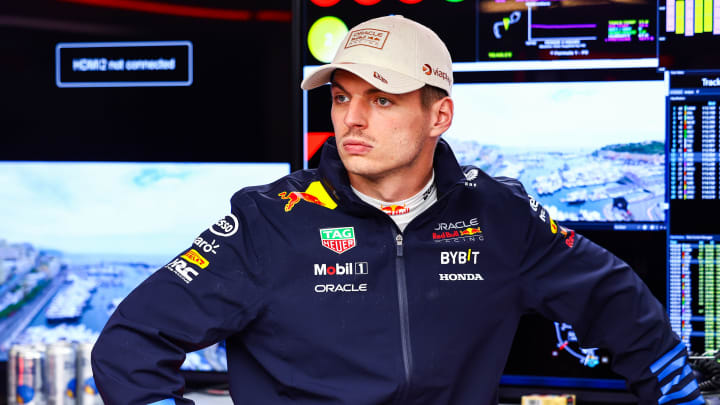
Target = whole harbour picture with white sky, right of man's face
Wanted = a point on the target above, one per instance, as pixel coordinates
(588, 151)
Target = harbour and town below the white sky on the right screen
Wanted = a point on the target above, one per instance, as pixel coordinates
(615, 183)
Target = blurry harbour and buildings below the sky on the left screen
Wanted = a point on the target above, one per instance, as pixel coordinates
(46, 296)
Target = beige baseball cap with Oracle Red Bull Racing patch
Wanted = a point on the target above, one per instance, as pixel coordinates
(393, 53)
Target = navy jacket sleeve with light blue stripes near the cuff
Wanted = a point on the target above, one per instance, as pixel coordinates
(568, 278)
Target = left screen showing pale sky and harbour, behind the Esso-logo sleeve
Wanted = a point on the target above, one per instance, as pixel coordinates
(77, 237)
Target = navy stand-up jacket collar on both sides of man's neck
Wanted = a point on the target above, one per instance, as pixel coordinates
(332, 171)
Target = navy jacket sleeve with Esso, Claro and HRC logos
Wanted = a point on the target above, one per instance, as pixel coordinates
(206, 293)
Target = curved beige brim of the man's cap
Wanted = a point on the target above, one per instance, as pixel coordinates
(386, 80)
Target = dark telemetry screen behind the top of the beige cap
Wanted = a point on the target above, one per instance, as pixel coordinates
(494, 32)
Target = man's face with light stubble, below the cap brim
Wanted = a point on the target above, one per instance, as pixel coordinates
(379, 134)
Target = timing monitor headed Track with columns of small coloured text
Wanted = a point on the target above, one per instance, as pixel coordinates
(693, 274)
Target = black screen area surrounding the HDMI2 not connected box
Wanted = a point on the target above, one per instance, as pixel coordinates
(237, 109)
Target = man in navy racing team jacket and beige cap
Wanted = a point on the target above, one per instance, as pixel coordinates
(388, 275)
